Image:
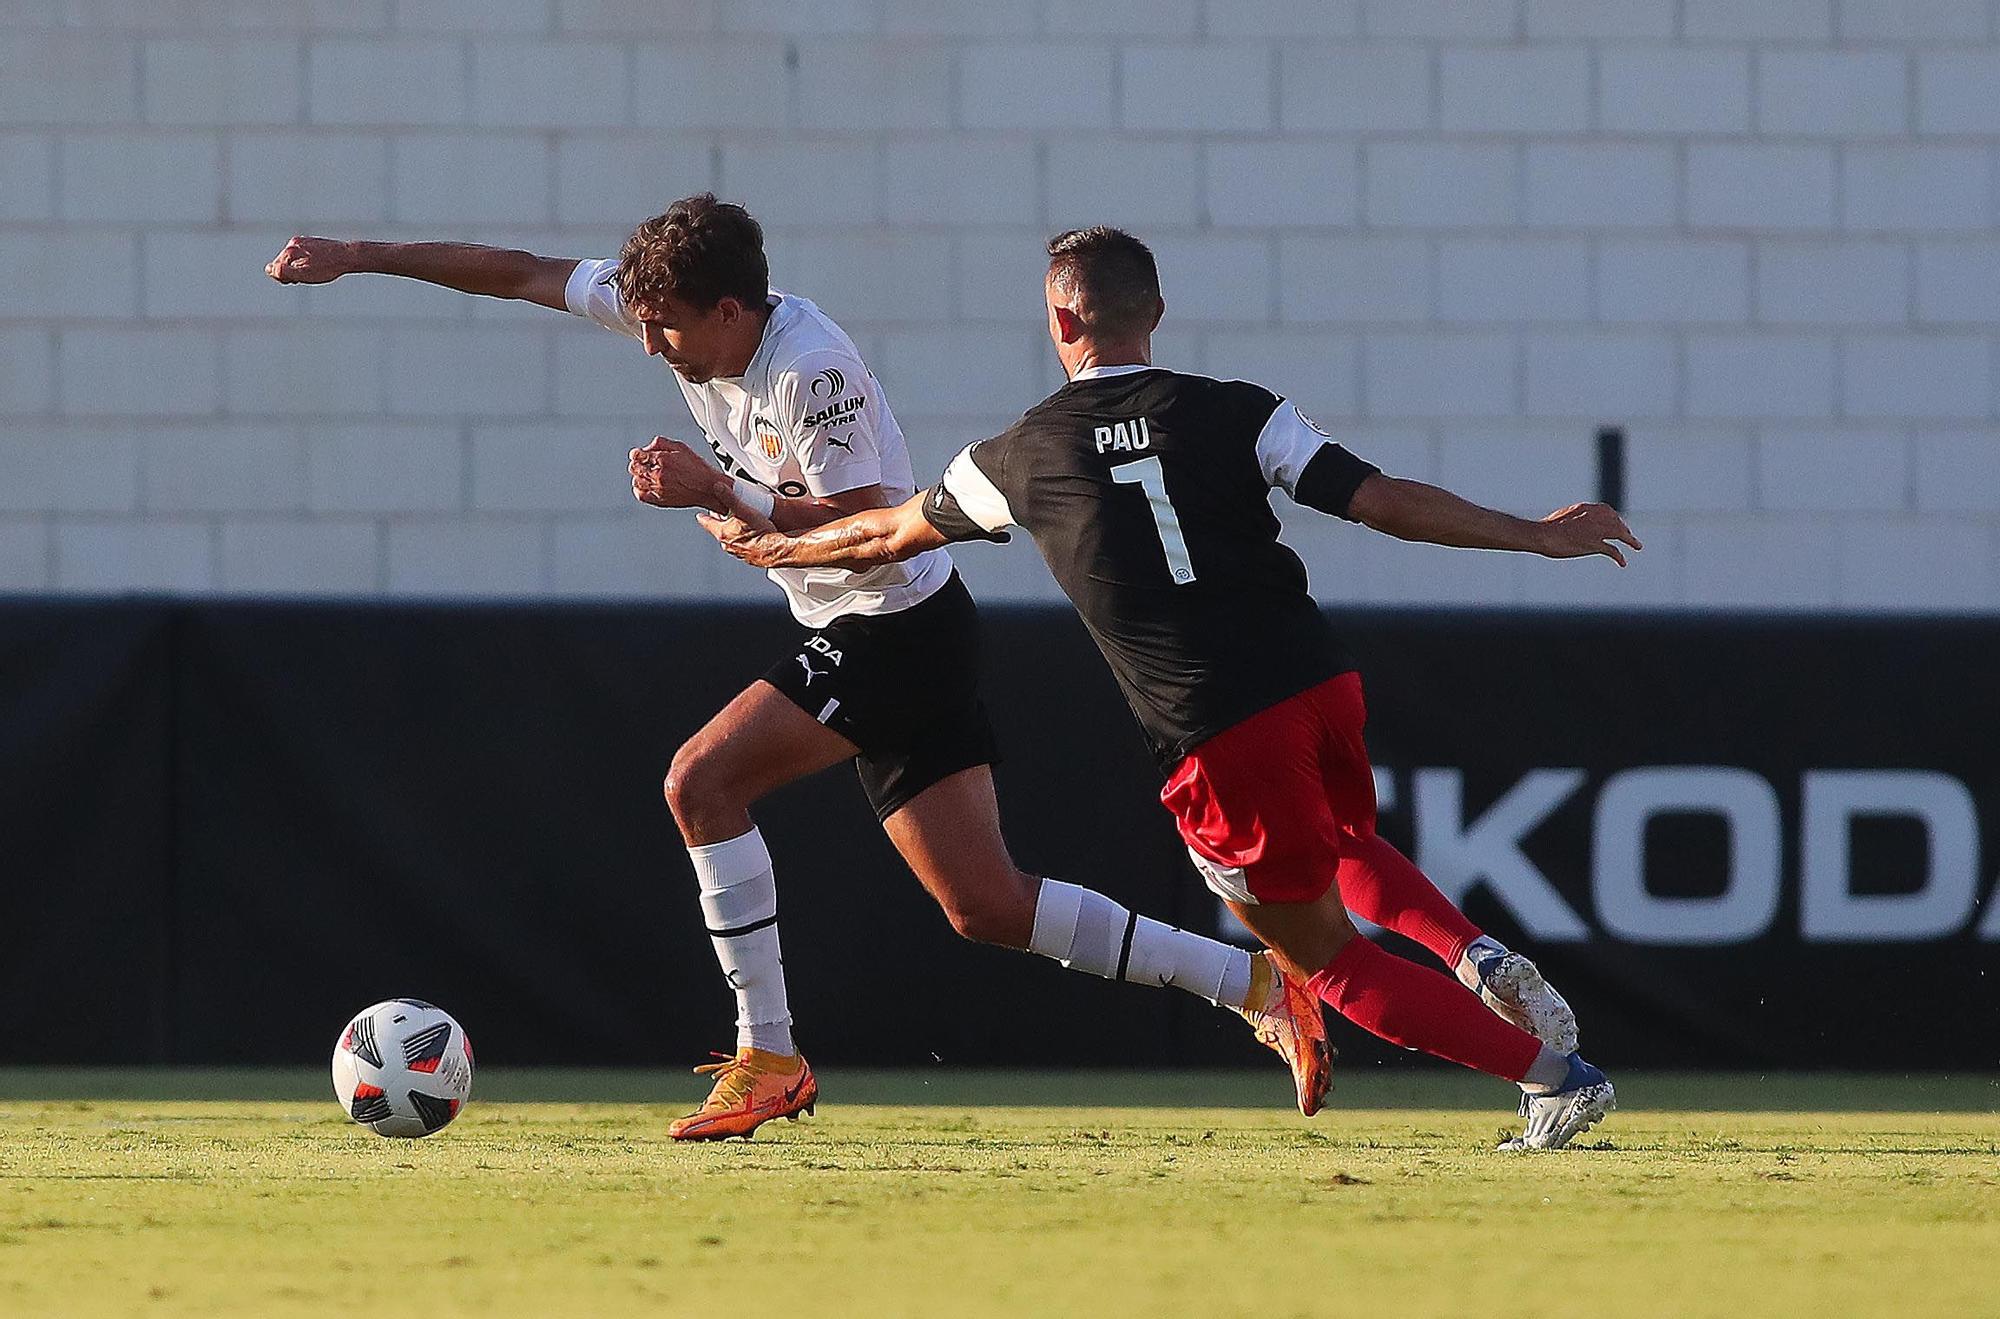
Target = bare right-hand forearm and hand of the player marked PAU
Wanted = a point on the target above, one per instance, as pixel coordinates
(1413, 511)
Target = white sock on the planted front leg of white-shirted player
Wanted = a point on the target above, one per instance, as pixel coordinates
(741, 910)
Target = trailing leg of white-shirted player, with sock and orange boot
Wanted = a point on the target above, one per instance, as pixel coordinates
(951, 838)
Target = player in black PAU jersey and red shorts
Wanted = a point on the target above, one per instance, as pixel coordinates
(1149, 495)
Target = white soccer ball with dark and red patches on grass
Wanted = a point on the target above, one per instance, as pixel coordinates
(403, 1068)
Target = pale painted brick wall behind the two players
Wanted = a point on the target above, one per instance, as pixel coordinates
(1763, 235)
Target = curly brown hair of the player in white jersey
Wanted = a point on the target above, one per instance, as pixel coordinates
(699, 251)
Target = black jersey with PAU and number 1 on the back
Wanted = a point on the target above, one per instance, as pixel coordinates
(1149, 497)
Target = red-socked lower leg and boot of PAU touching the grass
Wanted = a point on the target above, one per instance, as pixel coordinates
(1421, 1010)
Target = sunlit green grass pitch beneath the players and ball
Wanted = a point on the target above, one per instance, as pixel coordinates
(975, 1194)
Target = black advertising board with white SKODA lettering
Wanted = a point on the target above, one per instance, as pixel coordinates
(1739, 842)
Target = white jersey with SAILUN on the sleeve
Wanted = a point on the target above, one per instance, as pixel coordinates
(807, 419)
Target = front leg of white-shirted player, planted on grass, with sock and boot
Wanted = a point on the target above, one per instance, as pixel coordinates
(757, 744)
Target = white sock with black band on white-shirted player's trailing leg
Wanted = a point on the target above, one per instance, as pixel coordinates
(1089, 932)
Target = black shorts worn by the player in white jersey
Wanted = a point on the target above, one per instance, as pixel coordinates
(905, 688)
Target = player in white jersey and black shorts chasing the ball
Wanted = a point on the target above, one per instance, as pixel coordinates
(887, 674)
